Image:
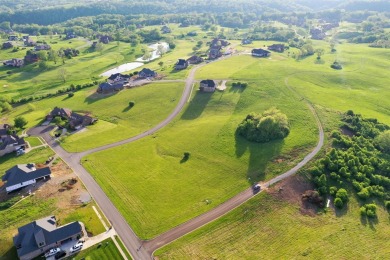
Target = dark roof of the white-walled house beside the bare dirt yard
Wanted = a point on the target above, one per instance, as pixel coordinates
(24, 172)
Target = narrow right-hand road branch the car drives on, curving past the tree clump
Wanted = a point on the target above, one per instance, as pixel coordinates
(234, 202)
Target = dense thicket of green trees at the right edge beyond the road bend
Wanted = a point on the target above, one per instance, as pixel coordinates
(358, 161)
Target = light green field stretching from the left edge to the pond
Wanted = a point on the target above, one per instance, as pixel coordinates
(32, 81)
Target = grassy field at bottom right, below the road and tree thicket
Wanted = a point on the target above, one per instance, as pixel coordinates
(267, 228)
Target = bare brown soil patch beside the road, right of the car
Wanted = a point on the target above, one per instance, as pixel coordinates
(293, 190)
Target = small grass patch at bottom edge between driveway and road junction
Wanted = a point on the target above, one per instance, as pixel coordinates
(104, 252)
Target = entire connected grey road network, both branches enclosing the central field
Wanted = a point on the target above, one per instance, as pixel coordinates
(144, 249)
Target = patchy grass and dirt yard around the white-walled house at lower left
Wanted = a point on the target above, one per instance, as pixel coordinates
(53, 199)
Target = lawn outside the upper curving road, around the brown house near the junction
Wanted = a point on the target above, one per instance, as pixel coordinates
(117, 121)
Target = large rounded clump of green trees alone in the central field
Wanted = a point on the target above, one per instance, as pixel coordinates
(271, 125)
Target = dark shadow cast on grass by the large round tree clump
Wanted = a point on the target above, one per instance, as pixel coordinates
(260, 154)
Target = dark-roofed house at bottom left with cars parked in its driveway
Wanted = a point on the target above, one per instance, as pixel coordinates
(41, 235)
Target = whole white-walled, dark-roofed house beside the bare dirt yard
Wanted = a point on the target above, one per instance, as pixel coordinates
(23, 175)
